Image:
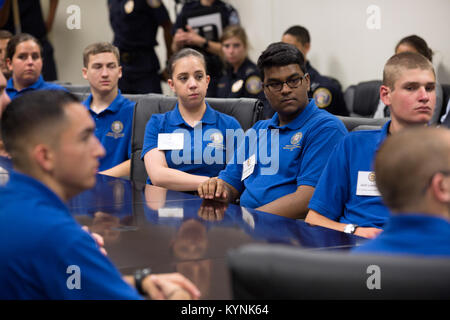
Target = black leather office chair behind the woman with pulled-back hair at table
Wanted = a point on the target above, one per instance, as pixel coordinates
(247, 111)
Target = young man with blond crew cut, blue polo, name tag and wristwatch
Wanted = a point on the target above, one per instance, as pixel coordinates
(346, 197)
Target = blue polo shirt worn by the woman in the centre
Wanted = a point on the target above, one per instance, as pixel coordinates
(206, 147)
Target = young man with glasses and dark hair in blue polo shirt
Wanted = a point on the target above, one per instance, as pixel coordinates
(297, 140)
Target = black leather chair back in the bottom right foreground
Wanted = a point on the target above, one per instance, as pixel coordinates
(282, 272)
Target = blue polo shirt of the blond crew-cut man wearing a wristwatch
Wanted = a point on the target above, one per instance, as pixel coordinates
(335, 195)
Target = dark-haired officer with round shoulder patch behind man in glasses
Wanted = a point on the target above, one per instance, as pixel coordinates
(326, 91)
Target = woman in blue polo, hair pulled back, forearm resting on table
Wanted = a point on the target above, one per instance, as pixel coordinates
(185, 146)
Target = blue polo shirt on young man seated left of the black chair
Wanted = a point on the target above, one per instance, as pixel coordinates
(113, 129)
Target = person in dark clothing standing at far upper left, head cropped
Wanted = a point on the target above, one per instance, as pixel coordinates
(32, 22)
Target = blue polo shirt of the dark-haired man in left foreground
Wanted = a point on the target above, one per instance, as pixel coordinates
(42, 245)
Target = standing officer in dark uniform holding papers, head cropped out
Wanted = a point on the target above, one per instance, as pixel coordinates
(203, 39)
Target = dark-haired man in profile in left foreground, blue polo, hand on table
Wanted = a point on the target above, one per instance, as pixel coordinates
(45, 254)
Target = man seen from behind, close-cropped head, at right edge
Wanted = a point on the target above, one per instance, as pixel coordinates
(412, 170)
